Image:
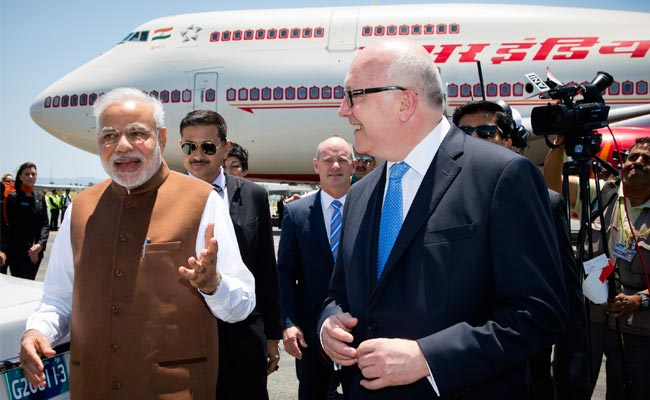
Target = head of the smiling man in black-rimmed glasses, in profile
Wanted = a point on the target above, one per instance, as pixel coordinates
(406, 104)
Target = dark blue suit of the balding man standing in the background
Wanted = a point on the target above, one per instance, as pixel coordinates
(304, 256)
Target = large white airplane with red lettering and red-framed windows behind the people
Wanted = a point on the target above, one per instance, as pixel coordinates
(276, 75)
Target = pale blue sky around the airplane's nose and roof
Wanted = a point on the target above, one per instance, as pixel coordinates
(42, 40)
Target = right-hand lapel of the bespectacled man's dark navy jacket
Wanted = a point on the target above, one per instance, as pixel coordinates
(441, 173)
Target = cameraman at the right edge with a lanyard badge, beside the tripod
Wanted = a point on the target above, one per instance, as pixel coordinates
(631, 303)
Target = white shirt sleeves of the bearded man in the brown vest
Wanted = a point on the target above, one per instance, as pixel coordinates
(233, 301)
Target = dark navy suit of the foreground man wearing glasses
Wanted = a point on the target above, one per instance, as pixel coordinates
(474, 275)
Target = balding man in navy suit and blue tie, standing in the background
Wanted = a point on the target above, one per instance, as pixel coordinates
(306, 255)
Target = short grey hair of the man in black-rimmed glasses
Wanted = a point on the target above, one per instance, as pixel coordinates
(420, 72)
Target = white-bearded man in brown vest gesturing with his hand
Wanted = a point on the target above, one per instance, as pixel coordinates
(142, 326)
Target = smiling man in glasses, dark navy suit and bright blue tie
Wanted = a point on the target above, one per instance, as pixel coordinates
(449, 285)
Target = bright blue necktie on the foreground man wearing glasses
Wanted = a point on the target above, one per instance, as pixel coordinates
(391, 215)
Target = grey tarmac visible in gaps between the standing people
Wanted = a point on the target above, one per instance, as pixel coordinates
(283, 384)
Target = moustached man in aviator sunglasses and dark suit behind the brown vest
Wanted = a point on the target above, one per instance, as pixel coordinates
(248, 350)
